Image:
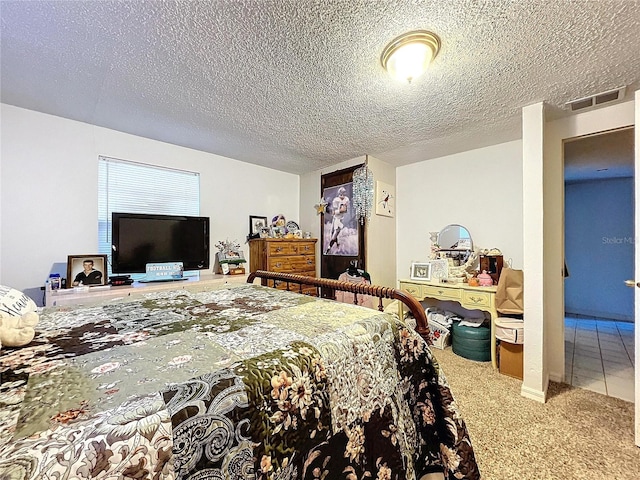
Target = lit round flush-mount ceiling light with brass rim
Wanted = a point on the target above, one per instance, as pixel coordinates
(409, 55)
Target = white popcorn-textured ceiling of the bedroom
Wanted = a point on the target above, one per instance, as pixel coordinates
(297, 84)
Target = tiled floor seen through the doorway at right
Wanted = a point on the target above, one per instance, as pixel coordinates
(599, 356)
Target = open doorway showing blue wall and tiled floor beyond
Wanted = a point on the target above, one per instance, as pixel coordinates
(599, 252)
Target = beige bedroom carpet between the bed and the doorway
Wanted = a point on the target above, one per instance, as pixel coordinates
(577, 434)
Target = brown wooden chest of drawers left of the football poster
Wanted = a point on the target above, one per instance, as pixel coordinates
(284, 255)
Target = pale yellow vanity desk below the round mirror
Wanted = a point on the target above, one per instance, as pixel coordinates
(471, 298)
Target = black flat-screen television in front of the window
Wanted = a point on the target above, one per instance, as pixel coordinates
(138, 239)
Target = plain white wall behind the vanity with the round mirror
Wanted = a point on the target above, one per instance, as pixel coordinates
(479, 189)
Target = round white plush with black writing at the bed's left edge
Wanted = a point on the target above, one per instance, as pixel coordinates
(18, 317)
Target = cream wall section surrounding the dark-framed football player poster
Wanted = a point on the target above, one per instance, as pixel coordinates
(381, 231)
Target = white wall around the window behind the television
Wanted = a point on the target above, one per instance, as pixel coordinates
(49, 201)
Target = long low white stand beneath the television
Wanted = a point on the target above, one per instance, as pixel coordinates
(104, 292)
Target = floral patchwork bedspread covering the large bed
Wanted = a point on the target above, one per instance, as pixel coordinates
(240, 382)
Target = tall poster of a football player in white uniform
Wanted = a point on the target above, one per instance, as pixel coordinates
(340, 224)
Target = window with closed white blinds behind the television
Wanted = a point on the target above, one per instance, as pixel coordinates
(131, 187)
